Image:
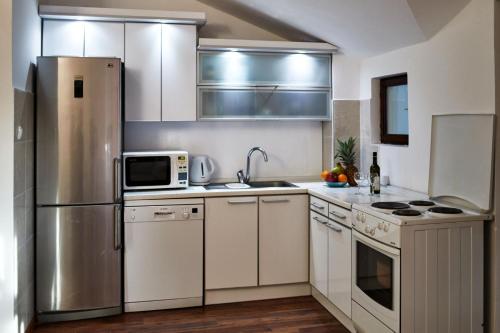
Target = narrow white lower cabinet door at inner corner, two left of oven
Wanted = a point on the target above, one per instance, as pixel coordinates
(319, 253)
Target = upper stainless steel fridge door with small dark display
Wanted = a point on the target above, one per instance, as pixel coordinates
(78, 131)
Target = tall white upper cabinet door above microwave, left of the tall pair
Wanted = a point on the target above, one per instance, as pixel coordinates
(143, 71)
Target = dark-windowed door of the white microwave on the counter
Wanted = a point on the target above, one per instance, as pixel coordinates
(147, 172)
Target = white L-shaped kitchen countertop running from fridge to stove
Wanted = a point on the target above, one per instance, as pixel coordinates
(344, 197)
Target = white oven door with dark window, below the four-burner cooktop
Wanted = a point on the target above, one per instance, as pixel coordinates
(376, 278)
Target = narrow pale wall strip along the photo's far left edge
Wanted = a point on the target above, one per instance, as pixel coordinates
(7, 246)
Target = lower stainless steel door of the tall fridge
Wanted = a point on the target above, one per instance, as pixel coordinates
(78, 258)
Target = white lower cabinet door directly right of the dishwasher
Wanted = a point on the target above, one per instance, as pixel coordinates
(231, 238)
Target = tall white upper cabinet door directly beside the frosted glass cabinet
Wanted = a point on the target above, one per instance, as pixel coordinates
(178, 72)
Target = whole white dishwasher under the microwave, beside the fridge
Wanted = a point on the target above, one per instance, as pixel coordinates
(163, 255)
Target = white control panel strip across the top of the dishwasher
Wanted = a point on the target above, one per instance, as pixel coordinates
(163, 213)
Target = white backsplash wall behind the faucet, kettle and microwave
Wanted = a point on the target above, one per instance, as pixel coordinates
(294, 148)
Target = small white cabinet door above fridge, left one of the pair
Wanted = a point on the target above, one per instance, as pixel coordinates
(63, 38)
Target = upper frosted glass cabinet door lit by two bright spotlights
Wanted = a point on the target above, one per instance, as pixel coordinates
(252, 68)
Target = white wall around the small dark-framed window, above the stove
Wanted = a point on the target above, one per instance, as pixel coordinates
(451, 73)
